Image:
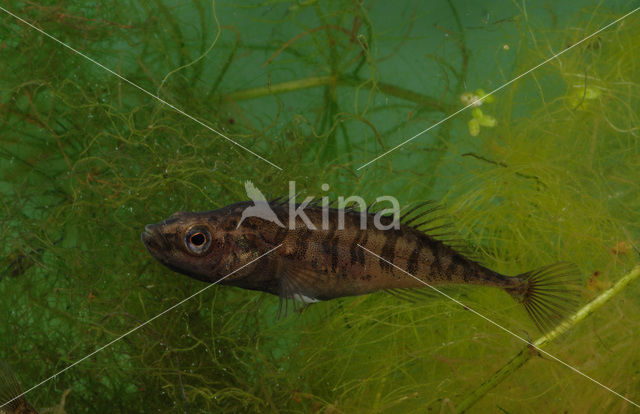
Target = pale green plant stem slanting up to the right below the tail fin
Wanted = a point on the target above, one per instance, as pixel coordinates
(527, 352)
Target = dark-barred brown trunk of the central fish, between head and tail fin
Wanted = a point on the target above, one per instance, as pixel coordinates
(348, 269)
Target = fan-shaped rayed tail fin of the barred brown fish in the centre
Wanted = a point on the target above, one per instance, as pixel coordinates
(548, 294)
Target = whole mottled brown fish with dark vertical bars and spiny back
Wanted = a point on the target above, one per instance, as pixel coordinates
(337, 252)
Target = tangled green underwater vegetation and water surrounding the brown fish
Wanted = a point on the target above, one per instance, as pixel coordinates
(548, 171)
